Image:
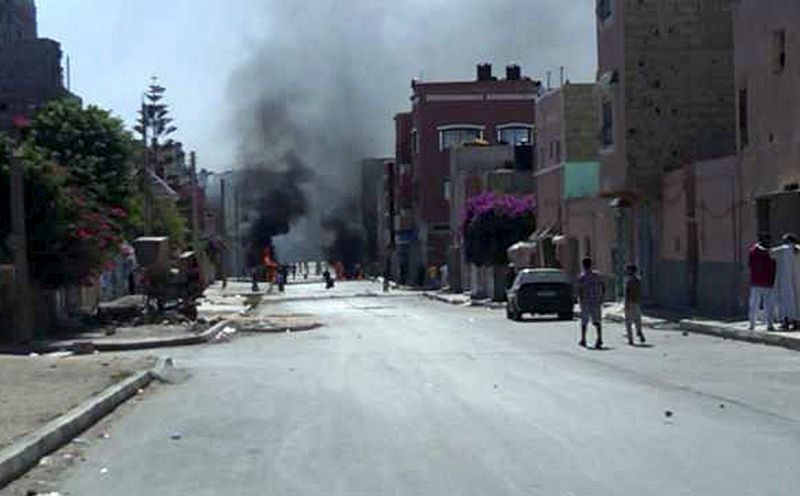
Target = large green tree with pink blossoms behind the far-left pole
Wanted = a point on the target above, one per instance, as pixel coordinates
(80, 191)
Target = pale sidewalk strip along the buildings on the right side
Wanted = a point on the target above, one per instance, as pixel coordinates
(614, 312)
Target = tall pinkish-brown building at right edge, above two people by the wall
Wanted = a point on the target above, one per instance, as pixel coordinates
(767, 34)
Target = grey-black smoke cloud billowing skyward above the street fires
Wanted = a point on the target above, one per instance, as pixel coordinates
(320, 90)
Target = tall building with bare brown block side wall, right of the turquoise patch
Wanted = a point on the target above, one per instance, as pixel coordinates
(666, 98)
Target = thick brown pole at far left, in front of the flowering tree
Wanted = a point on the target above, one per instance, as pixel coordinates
(23, 308)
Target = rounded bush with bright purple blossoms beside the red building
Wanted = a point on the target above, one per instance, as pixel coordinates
(492, 223)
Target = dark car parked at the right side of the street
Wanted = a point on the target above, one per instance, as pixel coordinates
(541, 292)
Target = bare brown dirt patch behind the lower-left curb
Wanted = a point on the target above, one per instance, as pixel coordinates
(36, 390)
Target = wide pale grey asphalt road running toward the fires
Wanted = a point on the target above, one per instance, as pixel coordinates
(403, 396)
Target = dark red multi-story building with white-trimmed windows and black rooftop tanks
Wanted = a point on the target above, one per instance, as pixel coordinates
(444, 115)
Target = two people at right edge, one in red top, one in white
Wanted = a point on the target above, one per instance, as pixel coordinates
(774, 280)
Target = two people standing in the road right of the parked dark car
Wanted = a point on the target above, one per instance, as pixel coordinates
(591, 294)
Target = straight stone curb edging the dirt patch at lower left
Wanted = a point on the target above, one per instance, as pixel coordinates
(26, 452)
